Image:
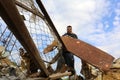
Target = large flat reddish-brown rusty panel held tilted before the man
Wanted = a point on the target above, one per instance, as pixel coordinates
(89, 53)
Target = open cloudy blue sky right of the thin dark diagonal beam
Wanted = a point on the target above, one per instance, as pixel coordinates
(96, 22)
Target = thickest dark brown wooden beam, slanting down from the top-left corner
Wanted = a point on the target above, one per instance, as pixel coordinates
(11, 16)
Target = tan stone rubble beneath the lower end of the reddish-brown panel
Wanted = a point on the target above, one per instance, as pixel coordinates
(92, 73)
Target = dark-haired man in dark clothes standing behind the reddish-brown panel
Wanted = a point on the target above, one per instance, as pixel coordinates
(68, 56)
